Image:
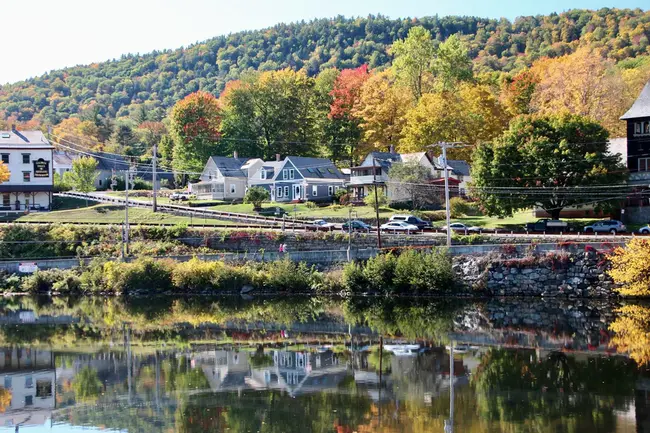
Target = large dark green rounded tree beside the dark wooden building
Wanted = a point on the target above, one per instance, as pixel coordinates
(552, 162)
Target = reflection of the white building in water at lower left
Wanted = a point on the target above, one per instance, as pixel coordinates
(30, 377)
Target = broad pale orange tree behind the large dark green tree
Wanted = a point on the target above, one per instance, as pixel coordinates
(583, 83)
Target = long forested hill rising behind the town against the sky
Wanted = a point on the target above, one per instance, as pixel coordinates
(158, 79)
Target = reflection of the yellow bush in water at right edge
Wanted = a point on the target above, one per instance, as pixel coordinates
(632, 328)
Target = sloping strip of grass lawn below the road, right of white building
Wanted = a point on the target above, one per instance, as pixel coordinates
(108, 213)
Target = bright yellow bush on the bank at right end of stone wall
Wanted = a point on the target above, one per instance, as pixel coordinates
(631, 268)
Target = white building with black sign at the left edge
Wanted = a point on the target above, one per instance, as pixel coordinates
(28, 156)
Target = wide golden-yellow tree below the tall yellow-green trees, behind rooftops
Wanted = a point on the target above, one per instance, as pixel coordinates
(471, 115)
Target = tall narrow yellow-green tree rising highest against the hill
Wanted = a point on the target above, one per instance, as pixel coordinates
(413, 62)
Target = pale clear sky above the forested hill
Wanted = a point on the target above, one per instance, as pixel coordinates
(42, 35)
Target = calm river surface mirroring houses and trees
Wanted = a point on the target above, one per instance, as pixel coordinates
(317, 365)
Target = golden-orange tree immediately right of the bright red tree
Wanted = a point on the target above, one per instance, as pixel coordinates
(382, 111)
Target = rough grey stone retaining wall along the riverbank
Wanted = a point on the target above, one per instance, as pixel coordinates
(564, 274)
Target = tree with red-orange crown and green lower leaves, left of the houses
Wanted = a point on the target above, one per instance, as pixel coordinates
(194, 126)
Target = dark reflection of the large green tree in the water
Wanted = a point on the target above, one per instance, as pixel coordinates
(552, 393)
